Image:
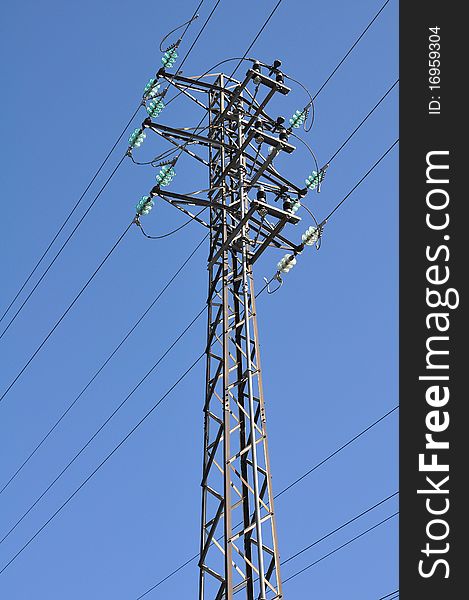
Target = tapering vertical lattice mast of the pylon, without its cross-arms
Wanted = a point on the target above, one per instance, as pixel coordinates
(238, 551)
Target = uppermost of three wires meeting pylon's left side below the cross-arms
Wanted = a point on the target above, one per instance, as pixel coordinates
(103, 365)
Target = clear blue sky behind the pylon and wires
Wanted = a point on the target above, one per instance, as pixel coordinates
(74, 73)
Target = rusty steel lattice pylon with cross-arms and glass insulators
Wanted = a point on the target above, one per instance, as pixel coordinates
(250, 203)
